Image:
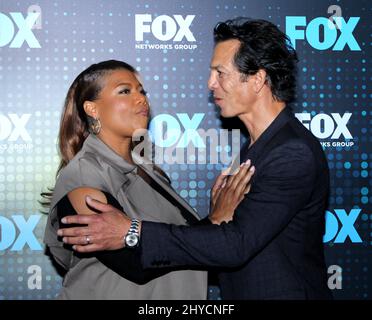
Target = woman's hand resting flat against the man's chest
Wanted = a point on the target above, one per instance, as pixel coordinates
(228, 191)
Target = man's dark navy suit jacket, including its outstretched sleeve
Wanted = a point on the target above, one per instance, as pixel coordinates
(273, 248)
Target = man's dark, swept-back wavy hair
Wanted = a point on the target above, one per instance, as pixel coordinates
(262, 46)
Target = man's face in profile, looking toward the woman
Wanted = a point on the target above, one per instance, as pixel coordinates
(230, 93)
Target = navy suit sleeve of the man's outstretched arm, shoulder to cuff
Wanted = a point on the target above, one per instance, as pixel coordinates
(281, 188)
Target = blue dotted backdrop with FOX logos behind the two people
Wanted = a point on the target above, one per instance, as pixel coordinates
(45, 44)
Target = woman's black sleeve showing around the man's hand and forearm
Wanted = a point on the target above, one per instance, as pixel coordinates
(126, 263)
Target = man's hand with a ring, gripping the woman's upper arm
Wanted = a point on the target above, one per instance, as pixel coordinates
(104, 231)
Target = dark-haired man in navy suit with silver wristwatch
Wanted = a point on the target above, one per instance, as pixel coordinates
(273, 247)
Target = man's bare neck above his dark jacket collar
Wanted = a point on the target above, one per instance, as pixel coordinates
(261, 115)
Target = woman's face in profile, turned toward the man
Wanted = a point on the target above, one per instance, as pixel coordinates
(122, 106)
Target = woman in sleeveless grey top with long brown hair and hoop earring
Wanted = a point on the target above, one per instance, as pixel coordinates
(105, 106)
